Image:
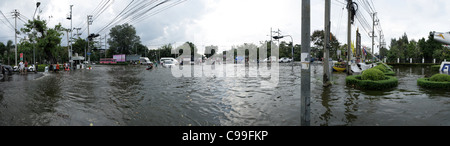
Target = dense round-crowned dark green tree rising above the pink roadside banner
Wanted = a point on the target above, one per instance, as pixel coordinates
(122, 39)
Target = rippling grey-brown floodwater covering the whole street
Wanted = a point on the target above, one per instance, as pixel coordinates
(131, 95)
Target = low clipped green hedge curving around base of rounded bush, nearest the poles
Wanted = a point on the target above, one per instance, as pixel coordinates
(357, 82)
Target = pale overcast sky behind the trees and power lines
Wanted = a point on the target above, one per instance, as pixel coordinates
(233, 22)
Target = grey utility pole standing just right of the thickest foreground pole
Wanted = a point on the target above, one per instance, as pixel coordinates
(326, 55)
